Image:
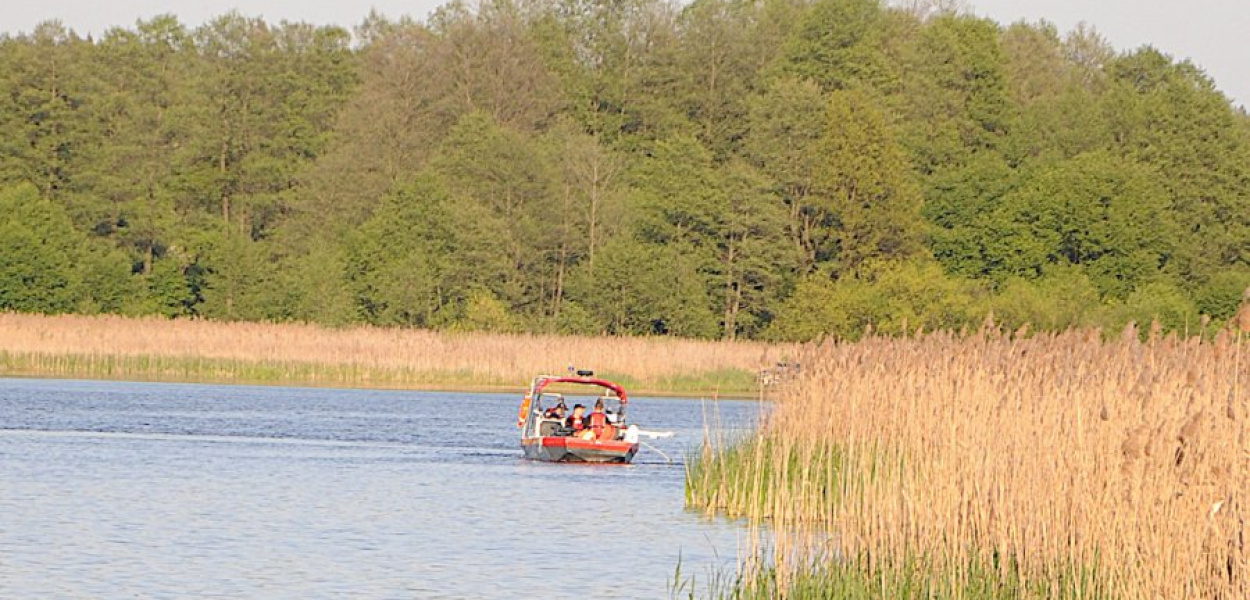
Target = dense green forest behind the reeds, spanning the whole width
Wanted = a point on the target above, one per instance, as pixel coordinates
(769, 169)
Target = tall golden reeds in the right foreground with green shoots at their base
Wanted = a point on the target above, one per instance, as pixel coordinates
(1059, 466)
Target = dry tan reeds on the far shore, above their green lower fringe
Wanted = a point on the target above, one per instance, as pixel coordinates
(496, 358)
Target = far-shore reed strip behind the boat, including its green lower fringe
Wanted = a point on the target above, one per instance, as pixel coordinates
(293, 354)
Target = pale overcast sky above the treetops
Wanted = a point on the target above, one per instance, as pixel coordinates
(1212, 33)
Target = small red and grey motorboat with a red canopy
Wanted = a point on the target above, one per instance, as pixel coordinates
(548, 439)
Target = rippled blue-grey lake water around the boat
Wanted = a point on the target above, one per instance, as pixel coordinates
(159, 491)
